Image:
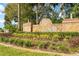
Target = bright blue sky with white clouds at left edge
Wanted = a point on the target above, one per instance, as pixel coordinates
(2, 15)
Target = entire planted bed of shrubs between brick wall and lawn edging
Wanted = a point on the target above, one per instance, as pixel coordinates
(65, 42)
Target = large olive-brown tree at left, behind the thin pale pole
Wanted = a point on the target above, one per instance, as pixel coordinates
(12, 13)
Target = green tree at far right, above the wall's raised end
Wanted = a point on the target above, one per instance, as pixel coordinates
(71, 10)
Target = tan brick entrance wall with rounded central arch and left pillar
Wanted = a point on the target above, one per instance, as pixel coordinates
(68, 25)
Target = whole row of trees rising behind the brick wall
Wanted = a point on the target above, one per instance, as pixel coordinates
(34, 12)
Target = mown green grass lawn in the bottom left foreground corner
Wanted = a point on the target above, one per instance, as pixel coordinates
(8, 51)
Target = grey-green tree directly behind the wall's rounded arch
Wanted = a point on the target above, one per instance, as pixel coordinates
(44, 10)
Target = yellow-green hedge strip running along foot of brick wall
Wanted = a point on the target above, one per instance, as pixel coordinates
(47, 35)
